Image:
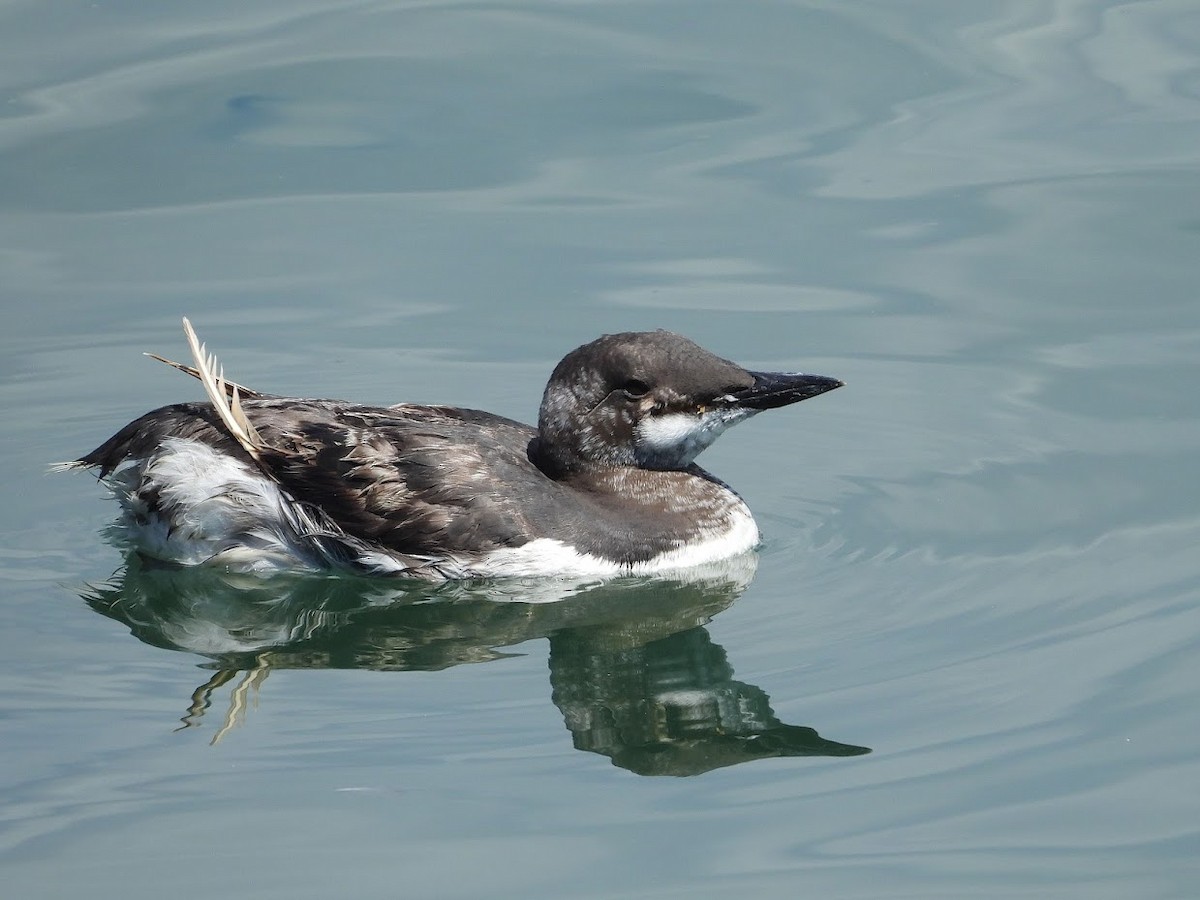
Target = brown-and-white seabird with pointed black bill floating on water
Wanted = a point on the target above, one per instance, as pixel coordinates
(605, 485)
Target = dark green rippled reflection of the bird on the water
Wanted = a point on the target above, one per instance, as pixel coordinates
(633, 669)
